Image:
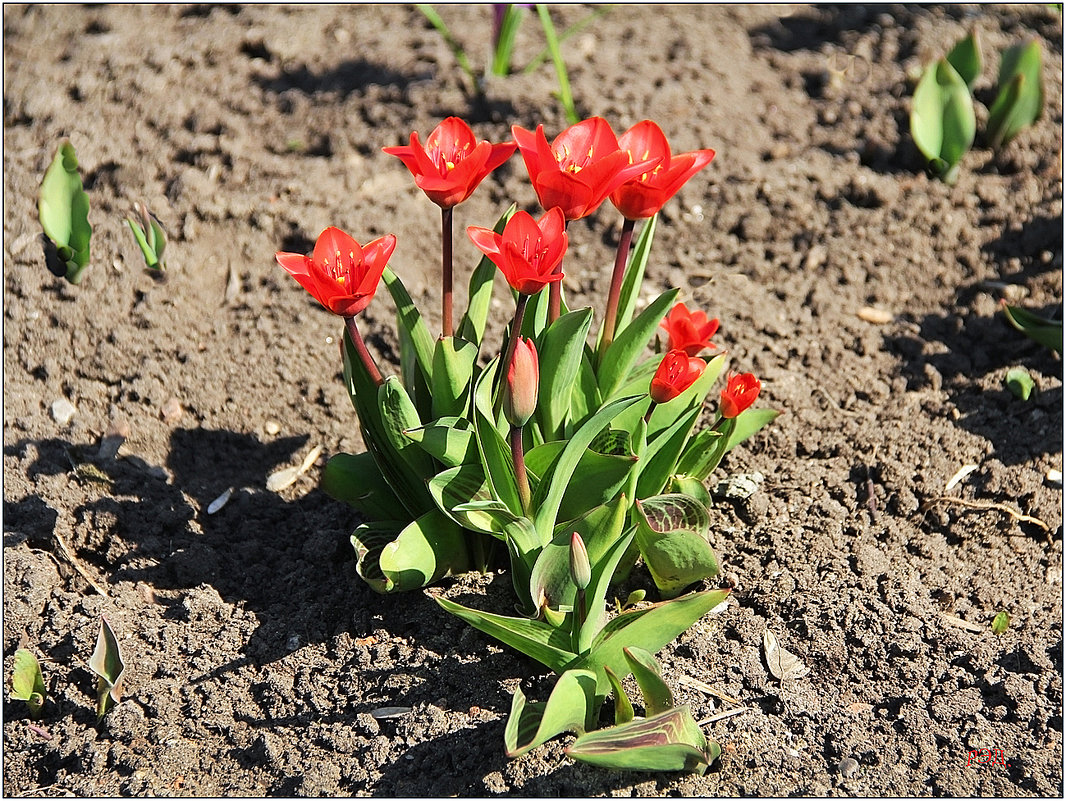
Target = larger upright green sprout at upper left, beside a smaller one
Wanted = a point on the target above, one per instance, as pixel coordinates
(63, 209)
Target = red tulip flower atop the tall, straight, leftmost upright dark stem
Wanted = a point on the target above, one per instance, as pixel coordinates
(453, 164)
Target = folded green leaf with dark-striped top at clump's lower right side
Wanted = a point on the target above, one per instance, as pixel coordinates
(672, 535)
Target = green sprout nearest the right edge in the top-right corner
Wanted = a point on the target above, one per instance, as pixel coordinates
(1021, 95)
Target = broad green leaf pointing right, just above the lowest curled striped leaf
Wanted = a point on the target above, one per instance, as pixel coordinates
(650, 629)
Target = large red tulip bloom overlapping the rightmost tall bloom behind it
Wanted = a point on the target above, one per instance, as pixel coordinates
(579, 169)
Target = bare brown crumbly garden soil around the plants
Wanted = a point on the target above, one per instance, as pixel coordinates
(256, 656)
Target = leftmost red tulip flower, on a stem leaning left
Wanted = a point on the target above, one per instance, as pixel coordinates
(341, 275)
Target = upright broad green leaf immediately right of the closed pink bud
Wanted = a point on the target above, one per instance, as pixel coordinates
(560, 351)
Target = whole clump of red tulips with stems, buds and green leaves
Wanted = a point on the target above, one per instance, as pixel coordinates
(569, 455)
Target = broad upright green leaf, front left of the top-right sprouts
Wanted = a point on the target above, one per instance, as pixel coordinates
(943, 122)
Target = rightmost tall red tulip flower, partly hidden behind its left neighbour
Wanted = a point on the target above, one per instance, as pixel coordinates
(643, 196)
